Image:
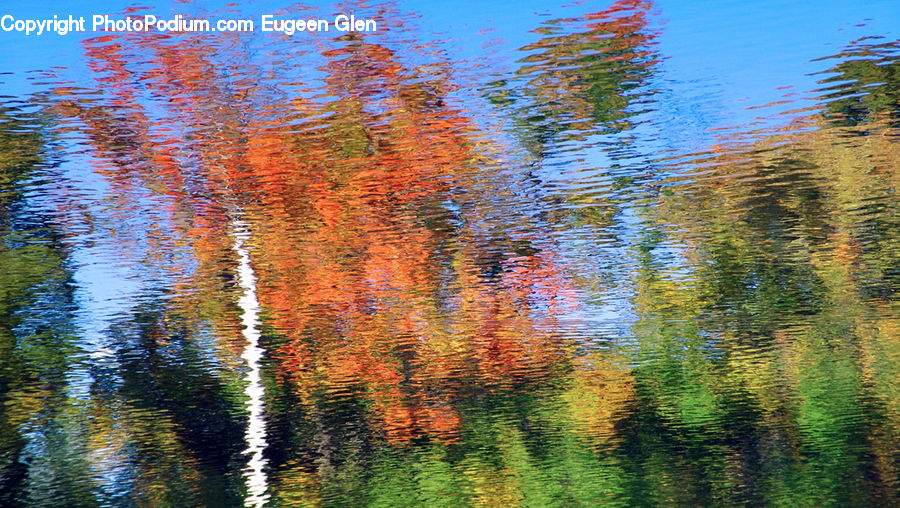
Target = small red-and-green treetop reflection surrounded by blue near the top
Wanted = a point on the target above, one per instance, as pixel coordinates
(581, 78)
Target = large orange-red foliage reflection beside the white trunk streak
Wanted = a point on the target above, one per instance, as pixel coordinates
(370, 274)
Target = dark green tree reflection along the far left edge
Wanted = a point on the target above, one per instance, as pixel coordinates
(43, 442)
